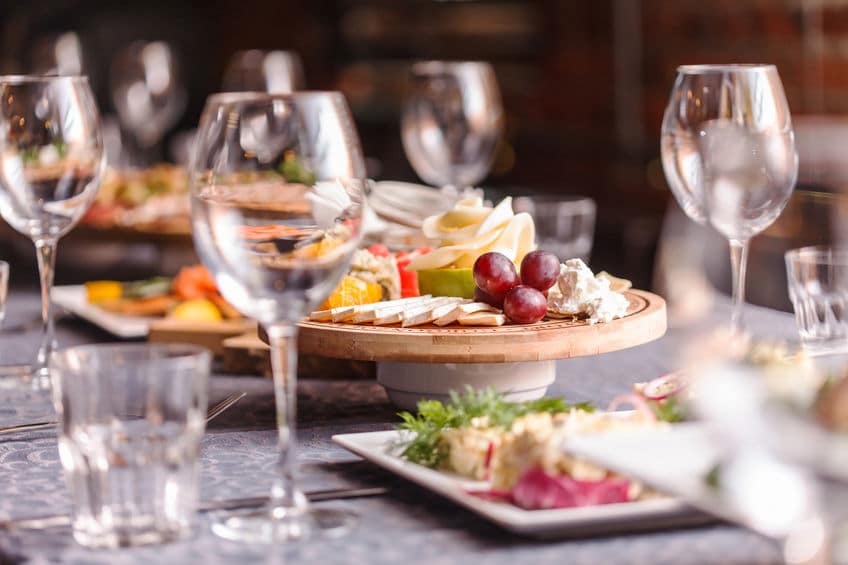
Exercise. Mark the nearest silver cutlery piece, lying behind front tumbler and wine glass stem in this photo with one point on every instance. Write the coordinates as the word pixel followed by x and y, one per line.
pixel 62 520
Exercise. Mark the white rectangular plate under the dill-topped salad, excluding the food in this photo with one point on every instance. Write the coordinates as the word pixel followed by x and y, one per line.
pixel 377 447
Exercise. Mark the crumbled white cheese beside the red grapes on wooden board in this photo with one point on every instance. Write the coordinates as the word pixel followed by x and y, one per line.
pixel 579 292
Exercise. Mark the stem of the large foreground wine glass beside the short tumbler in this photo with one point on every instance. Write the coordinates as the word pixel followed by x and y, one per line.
pixel 285 498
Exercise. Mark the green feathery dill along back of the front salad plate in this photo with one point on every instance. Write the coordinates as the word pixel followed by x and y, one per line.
pixel 425 446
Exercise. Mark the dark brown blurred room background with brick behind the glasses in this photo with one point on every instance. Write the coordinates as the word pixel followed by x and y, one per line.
pixel 584 83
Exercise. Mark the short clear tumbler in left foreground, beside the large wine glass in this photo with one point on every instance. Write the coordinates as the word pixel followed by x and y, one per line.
pixel 131 418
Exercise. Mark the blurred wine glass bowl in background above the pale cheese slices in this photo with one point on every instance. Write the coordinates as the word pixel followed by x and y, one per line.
pixel 452 121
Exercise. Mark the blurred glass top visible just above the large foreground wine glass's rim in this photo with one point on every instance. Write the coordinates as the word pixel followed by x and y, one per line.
pixel 277 72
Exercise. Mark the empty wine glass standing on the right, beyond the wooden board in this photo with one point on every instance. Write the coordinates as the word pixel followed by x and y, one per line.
pixel 728 151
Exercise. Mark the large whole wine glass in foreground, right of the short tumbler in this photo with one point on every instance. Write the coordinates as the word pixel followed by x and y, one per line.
pixel 278 187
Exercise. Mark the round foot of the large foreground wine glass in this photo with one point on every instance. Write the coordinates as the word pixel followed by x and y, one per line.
pixel 259 527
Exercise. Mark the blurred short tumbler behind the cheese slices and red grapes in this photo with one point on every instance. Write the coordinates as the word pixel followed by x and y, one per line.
pixel 565 225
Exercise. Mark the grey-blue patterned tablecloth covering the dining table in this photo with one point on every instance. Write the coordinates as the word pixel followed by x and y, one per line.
pixel 407 525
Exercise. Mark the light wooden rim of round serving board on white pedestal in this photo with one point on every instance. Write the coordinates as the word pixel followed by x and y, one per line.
pixel 543 341
